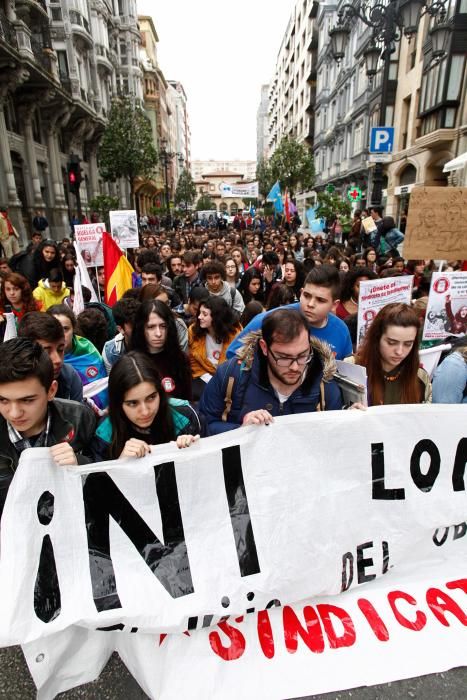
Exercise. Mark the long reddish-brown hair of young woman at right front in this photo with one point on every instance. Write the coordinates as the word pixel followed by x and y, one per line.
pixel 369 355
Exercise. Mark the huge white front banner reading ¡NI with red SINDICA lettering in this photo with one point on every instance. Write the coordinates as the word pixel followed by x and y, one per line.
pixel 238 524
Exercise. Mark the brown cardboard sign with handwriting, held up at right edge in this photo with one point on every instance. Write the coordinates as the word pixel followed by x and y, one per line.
pixel 436 224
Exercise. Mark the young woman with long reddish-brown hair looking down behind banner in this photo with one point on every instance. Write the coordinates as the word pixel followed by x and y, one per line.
pixel 390 354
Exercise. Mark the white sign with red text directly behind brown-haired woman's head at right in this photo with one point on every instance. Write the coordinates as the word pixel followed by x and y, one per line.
pixel 374 294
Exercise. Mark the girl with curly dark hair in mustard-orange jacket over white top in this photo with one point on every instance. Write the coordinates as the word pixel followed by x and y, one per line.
pixel 209 337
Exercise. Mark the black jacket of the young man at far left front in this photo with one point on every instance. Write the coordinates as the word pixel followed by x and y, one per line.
pixel 71 422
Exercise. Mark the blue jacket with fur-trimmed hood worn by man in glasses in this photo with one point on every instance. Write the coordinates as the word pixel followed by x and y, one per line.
pixel 252 389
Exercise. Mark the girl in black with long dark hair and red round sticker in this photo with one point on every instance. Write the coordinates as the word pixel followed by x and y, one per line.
pixel 155 333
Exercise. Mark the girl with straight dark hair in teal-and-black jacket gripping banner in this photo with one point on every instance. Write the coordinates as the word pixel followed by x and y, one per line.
pixel 141 414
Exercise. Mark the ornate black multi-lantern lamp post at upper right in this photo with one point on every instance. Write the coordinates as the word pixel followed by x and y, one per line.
pixel 388 22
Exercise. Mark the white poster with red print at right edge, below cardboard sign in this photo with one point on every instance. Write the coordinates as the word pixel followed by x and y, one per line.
pixel 446 312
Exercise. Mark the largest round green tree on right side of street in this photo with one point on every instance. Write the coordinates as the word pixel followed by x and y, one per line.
pixel 292 164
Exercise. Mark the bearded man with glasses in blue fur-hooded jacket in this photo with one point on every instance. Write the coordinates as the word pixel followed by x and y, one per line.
pixel 279 371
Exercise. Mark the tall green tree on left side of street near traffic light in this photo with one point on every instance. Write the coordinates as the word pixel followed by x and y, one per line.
pixel 127 149
